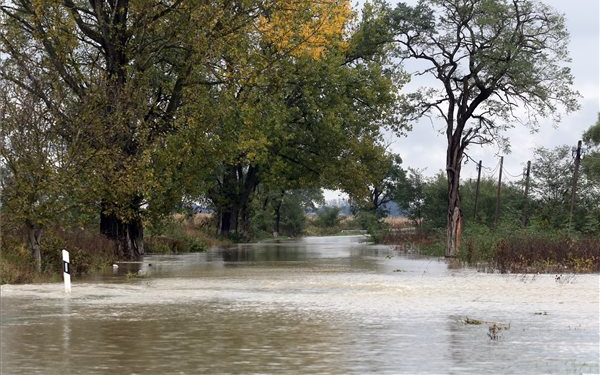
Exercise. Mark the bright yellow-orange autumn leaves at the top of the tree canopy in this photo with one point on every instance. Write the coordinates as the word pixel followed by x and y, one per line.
pixel 306 27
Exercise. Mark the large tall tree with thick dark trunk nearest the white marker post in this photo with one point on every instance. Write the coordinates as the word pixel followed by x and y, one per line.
pixel 125 66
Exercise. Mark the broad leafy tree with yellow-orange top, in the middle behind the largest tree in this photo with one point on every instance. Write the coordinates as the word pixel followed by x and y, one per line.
pixel 295 124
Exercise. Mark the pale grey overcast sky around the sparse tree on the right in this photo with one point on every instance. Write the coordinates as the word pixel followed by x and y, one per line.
pixel 424 148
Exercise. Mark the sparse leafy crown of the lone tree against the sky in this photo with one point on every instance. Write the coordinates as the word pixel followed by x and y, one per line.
pixel 528 71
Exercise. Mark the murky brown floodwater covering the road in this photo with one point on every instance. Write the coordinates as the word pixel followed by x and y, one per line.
pixel 327 305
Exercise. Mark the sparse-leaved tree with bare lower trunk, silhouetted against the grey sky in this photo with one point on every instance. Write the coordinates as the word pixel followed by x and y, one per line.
pixel 496 62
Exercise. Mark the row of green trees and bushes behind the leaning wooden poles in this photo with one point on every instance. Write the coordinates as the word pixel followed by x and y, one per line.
pixel 546 207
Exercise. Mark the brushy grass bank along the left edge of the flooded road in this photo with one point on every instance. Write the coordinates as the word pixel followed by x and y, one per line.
pixel 92 252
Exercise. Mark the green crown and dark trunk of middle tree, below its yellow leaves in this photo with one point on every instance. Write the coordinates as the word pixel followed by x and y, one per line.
pixel 309 123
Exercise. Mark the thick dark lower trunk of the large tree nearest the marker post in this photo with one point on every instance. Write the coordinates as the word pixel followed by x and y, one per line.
pixel 127 236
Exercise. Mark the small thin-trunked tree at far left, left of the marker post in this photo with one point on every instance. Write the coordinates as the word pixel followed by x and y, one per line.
pixel 41 179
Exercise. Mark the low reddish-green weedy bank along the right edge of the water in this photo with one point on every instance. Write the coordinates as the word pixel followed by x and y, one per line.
pixel 508 249
